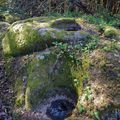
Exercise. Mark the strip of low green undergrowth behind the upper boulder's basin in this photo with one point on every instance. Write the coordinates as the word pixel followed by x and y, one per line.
pixel 100 18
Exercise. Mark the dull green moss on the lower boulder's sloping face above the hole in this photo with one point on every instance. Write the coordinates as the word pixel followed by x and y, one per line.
pixel 44 77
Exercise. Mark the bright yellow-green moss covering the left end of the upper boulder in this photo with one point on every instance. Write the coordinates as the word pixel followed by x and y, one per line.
pixel 22 41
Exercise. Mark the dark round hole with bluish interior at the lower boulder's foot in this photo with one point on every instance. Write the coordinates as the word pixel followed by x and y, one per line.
pixel 60 109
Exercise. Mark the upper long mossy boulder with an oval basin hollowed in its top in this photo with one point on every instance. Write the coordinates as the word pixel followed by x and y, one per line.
pixel 38 33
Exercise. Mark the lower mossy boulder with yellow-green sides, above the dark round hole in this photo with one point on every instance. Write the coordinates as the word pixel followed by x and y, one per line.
pixel 42 73
